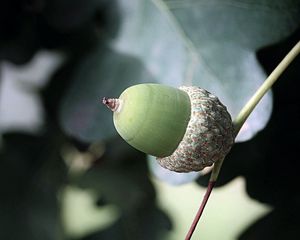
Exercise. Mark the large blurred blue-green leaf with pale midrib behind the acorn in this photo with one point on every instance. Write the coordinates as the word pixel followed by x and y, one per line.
pixel 207 43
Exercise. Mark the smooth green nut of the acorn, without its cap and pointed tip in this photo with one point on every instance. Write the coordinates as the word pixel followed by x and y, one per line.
pixel 146 116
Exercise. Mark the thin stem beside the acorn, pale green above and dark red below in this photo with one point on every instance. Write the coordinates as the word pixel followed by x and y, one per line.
pixel 240 120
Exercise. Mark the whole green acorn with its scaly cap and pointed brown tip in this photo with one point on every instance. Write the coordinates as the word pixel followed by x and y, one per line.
pixel 185 128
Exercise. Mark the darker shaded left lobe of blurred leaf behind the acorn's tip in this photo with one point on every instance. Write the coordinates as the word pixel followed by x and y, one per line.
pixel 101 73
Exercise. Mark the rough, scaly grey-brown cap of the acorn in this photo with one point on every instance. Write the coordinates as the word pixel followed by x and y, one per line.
pixel 208 137
